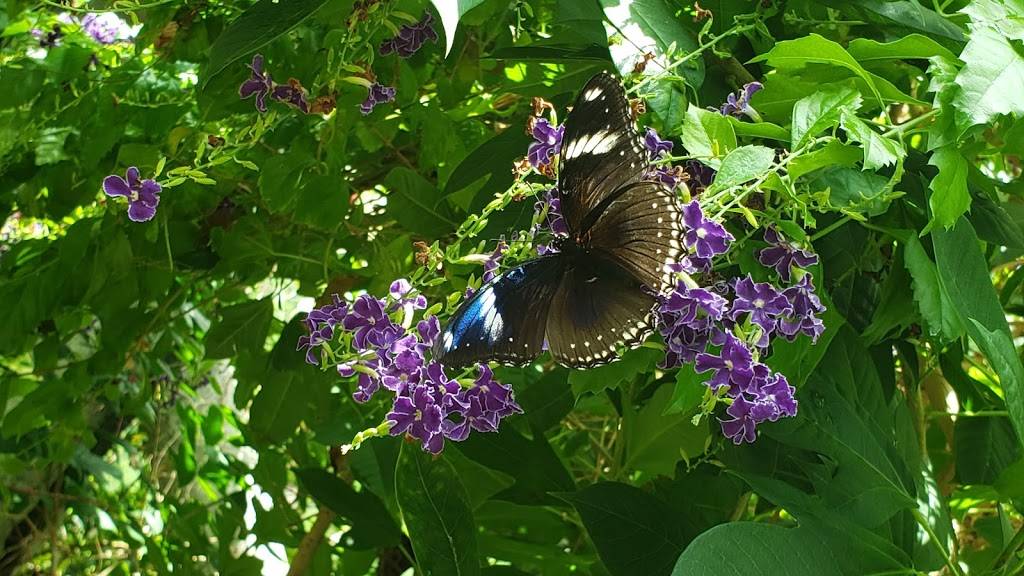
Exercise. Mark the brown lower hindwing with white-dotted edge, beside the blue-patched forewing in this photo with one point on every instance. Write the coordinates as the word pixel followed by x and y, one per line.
pixel 598 309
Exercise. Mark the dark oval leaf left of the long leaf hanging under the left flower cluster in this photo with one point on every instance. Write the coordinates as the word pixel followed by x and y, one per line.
pixel 372 525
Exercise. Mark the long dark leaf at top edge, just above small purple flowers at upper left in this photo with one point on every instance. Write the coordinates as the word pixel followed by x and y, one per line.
pixel 259 26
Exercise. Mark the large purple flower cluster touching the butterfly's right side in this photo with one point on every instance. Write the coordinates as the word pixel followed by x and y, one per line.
pixel 724 332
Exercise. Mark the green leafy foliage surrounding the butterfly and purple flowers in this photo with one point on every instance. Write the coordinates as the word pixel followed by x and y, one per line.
pixel 156 419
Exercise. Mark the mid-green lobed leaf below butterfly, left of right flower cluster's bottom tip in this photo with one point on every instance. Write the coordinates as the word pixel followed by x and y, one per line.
pixel 656 441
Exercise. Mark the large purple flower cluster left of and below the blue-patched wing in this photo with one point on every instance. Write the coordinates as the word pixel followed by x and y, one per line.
pixel 428 404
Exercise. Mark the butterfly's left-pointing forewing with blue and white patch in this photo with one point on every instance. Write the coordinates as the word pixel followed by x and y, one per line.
pixel 505 320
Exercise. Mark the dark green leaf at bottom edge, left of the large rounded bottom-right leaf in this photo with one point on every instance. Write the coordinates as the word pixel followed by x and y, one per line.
pixel 635 534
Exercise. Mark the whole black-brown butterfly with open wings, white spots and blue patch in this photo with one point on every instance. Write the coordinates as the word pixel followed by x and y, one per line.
pixel 599 293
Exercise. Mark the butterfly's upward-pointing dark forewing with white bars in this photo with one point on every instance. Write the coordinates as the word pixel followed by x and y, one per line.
pixel 602 151
